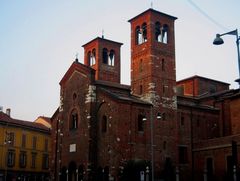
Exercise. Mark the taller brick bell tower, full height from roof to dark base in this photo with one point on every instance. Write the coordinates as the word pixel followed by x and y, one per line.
pixel 153 77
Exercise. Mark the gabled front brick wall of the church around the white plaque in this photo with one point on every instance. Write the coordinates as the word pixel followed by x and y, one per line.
pixel 78 84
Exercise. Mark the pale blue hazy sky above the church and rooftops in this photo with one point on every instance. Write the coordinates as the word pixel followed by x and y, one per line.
pixel 40 39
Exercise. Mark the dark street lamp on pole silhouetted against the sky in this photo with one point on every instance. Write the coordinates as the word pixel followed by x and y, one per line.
pixel 218 41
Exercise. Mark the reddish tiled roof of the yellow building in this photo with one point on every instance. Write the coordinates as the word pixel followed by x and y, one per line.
pixel 7 120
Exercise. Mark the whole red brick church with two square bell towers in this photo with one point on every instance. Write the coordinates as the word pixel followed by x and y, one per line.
pixel 156 128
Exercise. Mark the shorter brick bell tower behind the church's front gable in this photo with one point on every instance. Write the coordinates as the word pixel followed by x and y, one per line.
pixel 104 56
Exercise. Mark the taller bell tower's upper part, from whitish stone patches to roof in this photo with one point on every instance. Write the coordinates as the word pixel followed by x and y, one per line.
pixel 153 54
